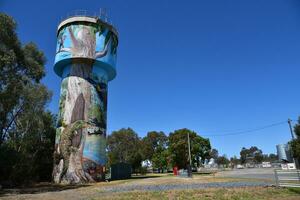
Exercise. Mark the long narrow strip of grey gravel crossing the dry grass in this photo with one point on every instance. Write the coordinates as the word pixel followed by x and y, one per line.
pixel 164 187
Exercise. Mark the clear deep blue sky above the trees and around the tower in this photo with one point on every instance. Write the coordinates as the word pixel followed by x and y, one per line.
pixel 205 65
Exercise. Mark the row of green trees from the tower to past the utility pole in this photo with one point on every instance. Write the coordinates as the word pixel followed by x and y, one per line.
pixel 162 151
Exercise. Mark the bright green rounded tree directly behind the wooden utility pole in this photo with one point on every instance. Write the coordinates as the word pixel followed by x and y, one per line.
pixel 178 147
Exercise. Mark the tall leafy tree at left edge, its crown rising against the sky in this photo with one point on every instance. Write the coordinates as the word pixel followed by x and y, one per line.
pixel 20 67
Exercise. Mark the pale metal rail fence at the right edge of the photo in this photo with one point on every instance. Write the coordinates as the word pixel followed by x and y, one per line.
pixel 287 178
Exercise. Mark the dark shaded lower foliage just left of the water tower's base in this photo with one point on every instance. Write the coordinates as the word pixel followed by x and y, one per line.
pixel 28 157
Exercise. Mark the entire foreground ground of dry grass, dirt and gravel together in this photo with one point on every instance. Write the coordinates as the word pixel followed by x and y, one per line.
pixel 155 186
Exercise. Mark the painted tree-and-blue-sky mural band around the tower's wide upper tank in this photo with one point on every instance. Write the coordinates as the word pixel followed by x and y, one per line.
pixel 88 41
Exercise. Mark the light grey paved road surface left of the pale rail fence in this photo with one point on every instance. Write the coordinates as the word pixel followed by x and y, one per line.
pixel 252 173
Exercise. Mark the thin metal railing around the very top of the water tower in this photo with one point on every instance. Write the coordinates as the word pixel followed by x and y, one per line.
pixel 102 15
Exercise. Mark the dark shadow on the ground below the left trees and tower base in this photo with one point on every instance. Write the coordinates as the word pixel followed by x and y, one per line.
pixel 40 188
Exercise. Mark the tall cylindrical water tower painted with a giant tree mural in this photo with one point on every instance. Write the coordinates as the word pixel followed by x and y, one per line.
pixel 85 60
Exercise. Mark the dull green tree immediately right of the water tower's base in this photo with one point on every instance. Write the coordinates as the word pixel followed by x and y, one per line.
pixel 125 146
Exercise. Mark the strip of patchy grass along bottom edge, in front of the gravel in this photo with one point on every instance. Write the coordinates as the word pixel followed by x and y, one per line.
pixel 247 193
